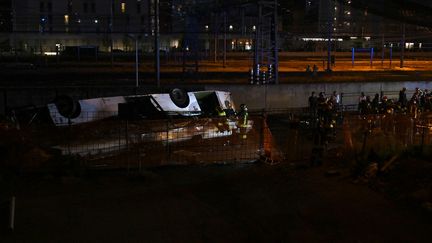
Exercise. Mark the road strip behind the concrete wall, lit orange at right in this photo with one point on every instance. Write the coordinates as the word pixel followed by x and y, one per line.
pixel 235 72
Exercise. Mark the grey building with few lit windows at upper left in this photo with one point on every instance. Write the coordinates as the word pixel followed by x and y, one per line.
pixel 52 25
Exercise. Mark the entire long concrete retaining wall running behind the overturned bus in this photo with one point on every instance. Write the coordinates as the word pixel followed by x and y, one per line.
pixel 257 97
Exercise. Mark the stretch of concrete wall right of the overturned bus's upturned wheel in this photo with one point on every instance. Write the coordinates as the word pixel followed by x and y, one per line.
pixel 296 95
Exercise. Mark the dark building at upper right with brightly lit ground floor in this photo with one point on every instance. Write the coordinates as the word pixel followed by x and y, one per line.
pixel 362 24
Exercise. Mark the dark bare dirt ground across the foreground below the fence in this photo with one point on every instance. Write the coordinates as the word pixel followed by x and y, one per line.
pixel 215 203
